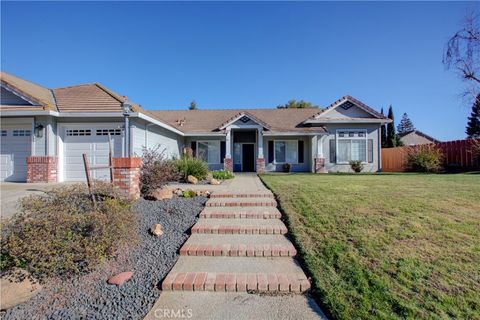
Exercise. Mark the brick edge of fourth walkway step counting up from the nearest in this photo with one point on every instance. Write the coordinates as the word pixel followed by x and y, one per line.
pixel 241 213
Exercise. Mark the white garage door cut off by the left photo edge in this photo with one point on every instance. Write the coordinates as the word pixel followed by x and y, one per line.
pixel 16 144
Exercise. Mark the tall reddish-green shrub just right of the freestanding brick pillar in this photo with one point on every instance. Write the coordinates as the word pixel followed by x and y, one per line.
pixel 156 171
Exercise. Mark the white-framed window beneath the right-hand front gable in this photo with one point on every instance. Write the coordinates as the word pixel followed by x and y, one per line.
pixel 351 145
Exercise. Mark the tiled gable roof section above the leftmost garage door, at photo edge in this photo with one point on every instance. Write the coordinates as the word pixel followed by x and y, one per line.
pixel 40 97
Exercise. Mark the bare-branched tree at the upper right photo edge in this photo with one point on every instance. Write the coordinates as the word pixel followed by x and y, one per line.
pixel 462 53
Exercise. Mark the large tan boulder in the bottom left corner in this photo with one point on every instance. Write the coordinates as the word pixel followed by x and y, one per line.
pixel 15 291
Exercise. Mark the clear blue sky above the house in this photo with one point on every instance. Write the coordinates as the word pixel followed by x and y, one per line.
pixel 245 55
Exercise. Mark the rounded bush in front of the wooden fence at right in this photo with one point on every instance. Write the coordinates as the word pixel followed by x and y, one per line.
pixel 424 158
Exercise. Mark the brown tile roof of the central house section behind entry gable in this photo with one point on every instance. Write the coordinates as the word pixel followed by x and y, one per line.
pixel 198 121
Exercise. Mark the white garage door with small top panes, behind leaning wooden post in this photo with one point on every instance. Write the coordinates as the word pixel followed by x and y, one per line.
pixel 94 142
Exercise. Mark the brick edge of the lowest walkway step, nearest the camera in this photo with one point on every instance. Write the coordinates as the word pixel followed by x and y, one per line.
pixel 236 282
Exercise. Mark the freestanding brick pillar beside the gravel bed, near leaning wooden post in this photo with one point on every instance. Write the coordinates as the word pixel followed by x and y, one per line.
pixel 126 175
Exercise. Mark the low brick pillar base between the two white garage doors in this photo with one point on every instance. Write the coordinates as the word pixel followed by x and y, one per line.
pixel 42 169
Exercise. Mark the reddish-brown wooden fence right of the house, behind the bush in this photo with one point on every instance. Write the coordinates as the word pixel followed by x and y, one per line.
pixel 457 154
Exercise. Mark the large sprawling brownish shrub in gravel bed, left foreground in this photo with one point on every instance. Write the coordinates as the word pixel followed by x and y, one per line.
pixel 60 233
